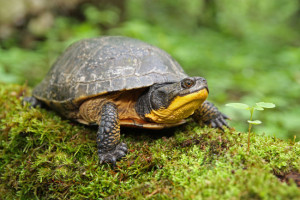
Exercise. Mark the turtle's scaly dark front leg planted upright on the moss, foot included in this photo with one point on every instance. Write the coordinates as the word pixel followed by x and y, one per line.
pixel 108 136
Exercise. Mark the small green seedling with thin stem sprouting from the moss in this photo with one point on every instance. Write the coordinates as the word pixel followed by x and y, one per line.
pixel 259 106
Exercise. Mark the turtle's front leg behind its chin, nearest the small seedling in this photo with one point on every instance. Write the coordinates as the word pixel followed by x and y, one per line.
pixel 208 114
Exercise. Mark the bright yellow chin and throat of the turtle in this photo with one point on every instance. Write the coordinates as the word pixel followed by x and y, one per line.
pixel 180 108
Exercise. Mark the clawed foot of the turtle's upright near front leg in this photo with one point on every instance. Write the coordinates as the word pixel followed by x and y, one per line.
pixel 113 155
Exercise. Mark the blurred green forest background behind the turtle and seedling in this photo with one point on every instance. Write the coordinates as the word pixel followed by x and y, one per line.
pixel 247 50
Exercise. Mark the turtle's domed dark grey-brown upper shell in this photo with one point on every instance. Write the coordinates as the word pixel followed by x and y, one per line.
pixel 96 66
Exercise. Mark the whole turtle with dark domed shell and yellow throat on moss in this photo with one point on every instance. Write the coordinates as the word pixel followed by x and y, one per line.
pixel 114 81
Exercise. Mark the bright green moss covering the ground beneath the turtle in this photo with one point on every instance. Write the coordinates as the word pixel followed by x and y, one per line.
pixel 43 156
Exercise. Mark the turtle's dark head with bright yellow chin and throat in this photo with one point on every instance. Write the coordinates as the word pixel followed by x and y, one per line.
pixel 172 102
